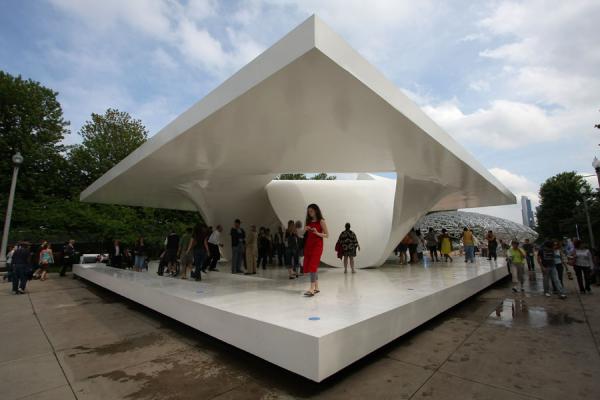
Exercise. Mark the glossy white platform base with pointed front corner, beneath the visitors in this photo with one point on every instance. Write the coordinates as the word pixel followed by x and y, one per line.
pixel 266 314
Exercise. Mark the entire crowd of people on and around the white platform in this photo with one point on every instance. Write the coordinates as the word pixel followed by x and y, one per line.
pixel 299 248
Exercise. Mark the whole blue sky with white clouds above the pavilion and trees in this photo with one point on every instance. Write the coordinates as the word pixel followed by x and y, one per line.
pixel 515 82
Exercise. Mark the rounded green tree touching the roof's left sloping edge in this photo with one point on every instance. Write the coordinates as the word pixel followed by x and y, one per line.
pixel 106 140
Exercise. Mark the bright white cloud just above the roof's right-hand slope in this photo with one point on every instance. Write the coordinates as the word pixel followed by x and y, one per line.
pixel 503 125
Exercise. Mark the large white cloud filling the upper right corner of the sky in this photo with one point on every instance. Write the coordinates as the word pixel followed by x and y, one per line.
pixel 552 48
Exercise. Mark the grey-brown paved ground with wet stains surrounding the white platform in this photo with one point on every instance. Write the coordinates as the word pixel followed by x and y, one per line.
pixel 70 339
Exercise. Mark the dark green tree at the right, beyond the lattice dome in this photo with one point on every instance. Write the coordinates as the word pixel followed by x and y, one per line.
pixel 558 213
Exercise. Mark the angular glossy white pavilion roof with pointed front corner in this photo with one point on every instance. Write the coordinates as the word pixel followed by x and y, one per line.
pixel 310 103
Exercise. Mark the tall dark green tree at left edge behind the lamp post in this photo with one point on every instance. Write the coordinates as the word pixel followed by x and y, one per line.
pixel 31 121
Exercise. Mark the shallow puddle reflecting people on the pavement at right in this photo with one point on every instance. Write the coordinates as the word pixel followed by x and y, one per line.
pixel 516 312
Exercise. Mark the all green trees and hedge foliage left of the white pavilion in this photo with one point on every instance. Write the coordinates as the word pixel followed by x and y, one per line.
pixel 52 176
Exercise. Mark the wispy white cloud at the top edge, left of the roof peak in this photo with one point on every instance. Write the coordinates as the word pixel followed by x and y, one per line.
pixel 182 27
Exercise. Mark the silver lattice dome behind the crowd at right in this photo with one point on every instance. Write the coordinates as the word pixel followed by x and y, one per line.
pixel 455 221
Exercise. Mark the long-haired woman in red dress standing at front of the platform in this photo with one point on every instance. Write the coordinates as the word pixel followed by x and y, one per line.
pixel 315 231
